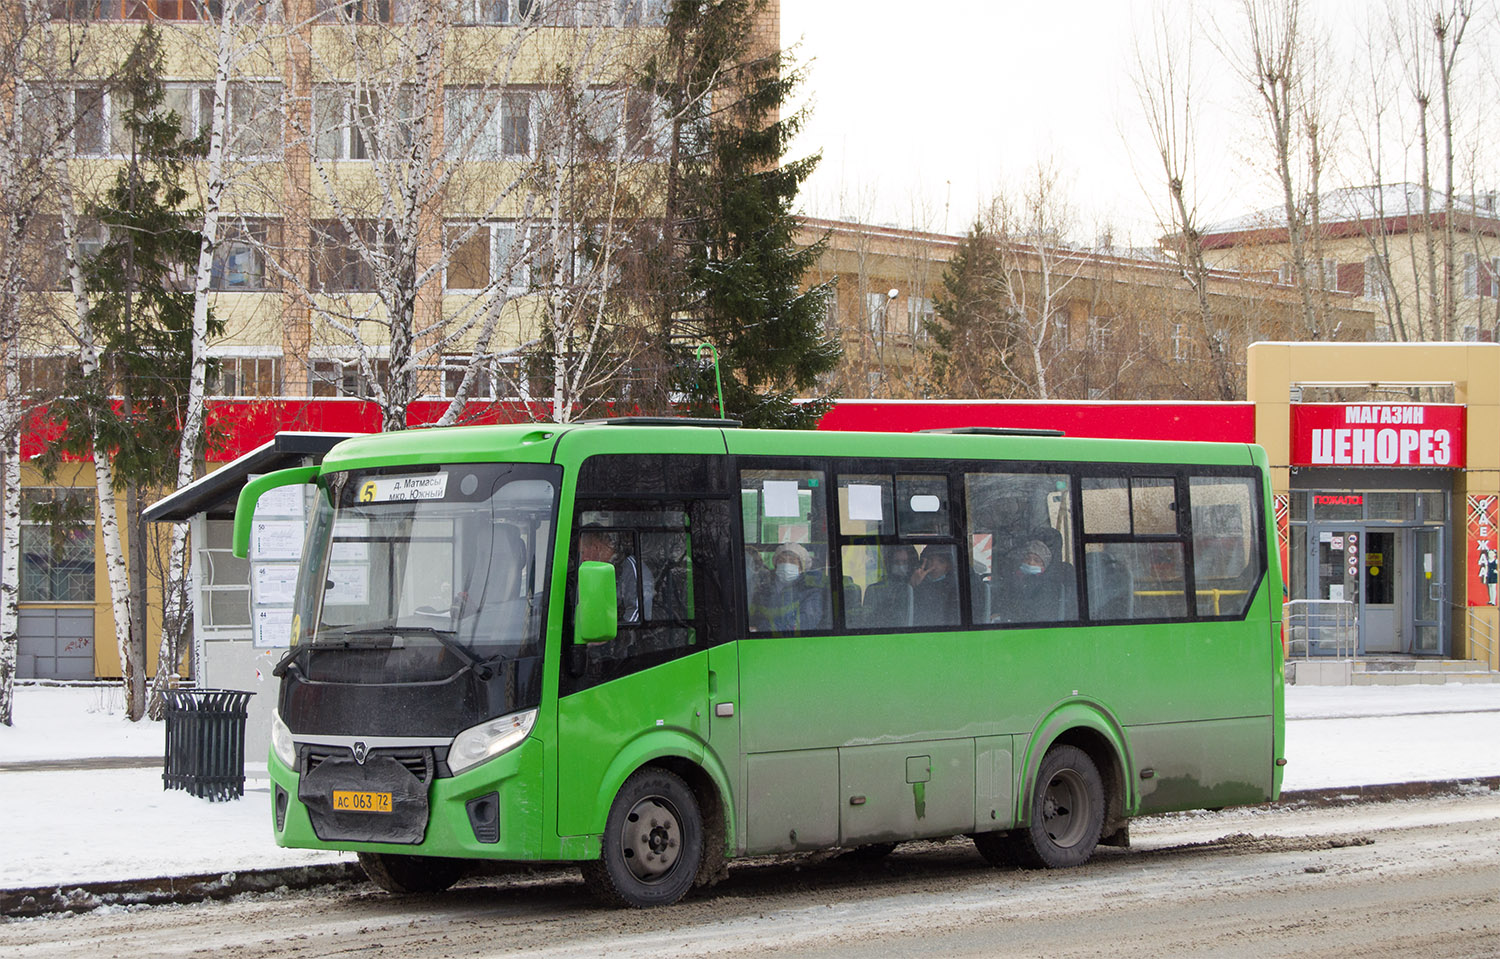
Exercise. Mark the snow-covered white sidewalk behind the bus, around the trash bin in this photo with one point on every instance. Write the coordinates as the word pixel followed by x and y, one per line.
pixel 103 825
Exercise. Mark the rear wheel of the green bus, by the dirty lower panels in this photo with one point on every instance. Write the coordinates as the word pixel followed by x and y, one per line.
pixel 1067 813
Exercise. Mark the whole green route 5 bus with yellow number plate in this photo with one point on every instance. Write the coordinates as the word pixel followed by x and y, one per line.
pixel 650 648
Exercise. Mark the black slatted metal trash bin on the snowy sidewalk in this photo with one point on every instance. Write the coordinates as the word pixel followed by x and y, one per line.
pixel 206 742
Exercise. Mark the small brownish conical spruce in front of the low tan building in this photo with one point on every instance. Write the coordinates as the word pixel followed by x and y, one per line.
pixel 971 332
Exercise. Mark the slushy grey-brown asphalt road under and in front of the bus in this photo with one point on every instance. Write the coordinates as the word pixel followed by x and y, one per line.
pixel 1417 877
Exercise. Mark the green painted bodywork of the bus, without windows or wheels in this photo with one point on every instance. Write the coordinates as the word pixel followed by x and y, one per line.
pixel 865 738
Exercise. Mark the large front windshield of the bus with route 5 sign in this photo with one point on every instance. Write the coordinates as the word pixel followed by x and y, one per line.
pixel 445 564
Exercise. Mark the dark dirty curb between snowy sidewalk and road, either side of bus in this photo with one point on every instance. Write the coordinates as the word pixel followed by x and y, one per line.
pixel 88 897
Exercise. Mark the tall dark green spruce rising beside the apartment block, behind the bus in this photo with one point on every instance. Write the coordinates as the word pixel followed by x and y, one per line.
pixel 733 274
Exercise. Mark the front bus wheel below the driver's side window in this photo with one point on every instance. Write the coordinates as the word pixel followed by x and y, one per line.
pixel 653 843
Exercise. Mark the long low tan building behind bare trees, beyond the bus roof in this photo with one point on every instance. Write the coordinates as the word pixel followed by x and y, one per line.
pixel 1118 326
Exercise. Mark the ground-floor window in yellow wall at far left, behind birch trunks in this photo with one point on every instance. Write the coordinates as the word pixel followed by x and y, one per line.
pixel 58 546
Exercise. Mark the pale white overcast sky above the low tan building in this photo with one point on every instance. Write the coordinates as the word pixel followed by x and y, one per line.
pixel 923 109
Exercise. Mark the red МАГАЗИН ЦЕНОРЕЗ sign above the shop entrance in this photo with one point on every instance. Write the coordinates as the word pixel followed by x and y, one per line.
pixel 1378 436
